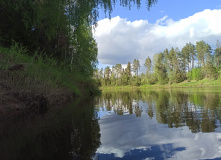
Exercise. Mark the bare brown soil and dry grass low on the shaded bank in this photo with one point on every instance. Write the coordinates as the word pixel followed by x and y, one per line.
pixel 14 101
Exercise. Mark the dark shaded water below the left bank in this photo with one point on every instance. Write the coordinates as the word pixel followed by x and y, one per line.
pixel 69 133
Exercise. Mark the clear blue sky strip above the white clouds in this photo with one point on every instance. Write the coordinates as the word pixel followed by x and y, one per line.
pixel 175 9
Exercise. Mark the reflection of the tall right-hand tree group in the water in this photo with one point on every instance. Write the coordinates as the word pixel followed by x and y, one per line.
pixel 178 112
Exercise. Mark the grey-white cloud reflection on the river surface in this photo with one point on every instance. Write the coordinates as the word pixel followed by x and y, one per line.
pixel 121 135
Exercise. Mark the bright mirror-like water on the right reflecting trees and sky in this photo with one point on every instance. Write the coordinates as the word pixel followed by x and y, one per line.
pixel 160 124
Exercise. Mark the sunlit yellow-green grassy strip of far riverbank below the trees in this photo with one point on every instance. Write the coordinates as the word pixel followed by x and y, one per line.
pixel 185 84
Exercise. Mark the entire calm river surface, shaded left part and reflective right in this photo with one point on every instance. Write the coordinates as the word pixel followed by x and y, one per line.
pixel 135 125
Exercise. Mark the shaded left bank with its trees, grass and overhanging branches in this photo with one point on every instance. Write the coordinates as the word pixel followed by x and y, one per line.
pixel 47 50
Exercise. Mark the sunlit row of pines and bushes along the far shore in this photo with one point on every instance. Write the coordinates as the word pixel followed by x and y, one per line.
pixel 192 62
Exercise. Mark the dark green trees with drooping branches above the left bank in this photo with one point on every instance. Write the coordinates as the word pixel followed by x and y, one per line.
pixel 59 28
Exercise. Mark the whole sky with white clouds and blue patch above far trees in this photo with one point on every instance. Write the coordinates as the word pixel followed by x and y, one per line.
pixel 141 33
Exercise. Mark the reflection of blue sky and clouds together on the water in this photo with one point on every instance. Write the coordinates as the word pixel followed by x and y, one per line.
pixel 142 137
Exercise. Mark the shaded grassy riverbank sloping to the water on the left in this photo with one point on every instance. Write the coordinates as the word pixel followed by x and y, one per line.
pixel 37 82
